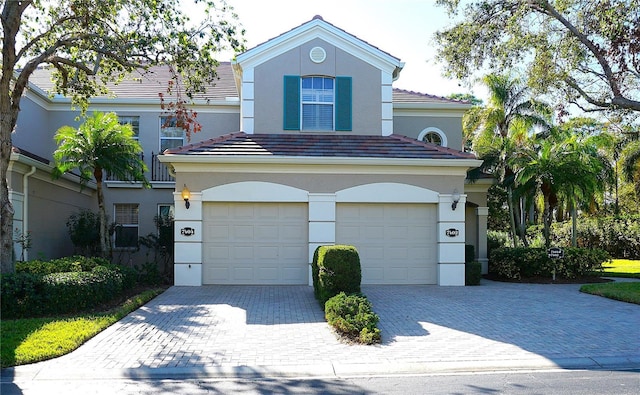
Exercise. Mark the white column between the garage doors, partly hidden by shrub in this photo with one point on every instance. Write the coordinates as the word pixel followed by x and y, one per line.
pixel 322 223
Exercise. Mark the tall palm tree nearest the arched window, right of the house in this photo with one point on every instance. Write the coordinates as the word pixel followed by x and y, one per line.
pixel 497 129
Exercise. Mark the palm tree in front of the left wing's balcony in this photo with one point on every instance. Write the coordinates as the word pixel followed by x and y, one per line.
pixel 100 146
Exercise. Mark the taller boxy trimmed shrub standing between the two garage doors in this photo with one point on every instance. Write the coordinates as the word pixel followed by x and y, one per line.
pixel 335 269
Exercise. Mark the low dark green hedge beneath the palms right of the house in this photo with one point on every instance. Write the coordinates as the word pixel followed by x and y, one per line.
pixel 521 262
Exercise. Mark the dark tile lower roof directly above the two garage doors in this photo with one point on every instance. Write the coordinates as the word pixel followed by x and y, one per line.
pixel 319 145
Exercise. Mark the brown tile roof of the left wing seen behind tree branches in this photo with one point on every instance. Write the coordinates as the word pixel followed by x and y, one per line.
pixel 141 85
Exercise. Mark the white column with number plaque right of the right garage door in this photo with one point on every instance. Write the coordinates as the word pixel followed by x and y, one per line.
pixel 451 240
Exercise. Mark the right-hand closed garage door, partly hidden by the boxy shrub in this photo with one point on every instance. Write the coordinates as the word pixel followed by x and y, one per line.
pixel 396 242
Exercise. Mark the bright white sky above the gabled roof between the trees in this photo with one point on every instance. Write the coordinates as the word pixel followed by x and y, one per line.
pixel 402 28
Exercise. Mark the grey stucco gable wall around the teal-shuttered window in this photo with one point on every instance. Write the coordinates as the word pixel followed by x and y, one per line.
pixel 269 87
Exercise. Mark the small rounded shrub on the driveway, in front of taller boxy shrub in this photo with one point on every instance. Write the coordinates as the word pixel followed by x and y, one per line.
pixel 353 317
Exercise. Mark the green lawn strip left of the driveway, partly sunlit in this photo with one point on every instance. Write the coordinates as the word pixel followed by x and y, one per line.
pixel 29 340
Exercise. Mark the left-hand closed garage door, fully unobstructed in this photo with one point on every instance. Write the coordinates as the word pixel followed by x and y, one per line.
pixel 255 243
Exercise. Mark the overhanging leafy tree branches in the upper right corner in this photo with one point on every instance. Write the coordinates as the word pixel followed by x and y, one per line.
pixel 587 52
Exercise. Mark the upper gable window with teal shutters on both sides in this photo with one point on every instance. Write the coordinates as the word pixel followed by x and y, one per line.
pixel 317 103
